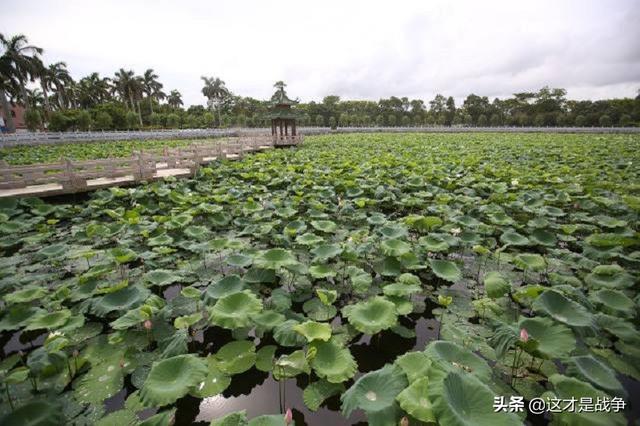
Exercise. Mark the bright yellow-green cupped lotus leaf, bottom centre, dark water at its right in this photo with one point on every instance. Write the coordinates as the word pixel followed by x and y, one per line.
pixel 333 362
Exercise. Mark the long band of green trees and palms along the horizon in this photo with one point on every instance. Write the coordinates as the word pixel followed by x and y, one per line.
pixel 54 100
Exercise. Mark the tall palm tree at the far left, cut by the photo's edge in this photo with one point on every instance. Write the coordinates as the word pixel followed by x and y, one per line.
pixel 18 63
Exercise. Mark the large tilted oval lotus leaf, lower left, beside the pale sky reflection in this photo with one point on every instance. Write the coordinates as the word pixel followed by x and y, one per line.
pixel 172 378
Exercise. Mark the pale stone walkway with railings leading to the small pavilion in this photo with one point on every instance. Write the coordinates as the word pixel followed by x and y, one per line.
pixel 68 177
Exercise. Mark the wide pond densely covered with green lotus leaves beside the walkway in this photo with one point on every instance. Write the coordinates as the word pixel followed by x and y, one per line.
pixel 377 279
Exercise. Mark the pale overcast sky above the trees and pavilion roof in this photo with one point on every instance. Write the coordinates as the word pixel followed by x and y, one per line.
pixel 354 49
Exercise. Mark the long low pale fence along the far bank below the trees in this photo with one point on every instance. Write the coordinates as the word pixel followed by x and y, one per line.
pixel 45 138
